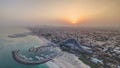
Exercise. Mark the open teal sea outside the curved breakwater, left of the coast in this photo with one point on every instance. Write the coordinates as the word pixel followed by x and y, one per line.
pixel 7 45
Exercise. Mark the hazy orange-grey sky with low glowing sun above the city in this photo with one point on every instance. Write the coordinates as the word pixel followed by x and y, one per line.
pixel 86 13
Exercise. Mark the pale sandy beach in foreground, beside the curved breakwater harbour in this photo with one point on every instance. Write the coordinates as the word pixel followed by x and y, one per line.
pixel 67 60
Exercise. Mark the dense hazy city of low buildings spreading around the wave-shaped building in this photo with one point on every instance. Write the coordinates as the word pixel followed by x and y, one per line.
pixel 105 43
